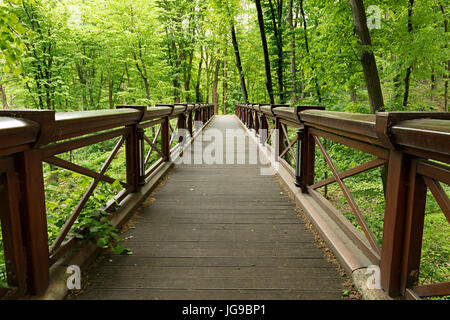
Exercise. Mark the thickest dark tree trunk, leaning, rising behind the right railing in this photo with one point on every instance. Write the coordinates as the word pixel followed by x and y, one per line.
pixel 367 57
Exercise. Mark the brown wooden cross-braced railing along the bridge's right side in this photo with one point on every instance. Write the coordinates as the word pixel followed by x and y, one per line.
pixel 415 147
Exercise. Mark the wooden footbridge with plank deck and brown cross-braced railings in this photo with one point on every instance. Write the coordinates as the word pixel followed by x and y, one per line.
pixel 221 228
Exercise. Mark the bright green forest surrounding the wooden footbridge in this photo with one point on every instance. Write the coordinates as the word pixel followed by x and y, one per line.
pixel 347 55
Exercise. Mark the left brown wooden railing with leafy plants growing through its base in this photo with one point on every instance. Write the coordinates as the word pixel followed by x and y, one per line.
pixel 30 137
